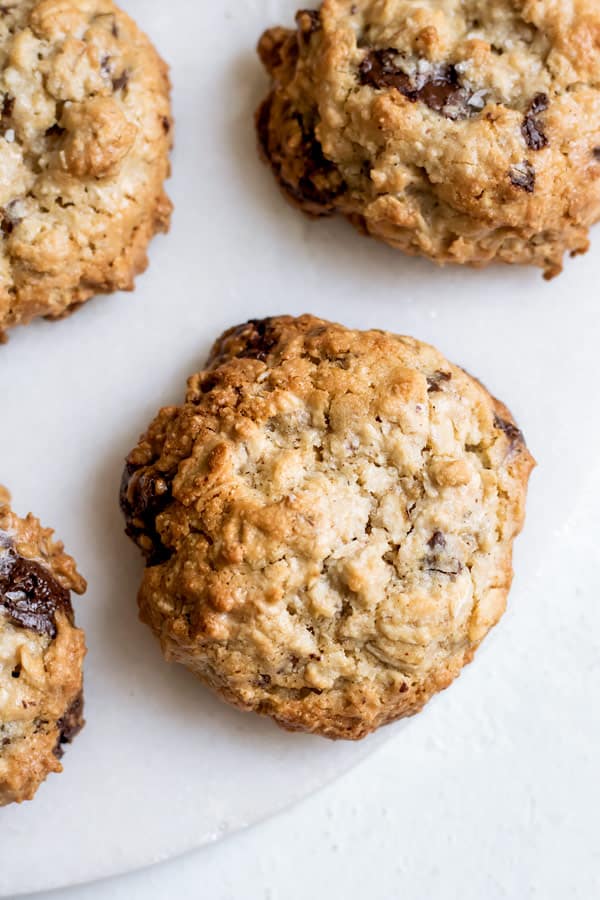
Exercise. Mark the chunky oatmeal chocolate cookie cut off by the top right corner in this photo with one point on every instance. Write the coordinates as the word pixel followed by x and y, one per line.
pixel 466 132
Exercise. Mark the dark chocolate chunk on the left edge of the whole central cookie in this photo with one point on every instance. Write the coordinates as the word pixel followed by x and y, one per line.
pixel 145 493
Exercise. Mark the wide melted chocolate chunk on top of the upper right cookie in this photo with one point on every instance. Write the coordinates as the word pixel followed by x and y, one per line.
pixel 439 88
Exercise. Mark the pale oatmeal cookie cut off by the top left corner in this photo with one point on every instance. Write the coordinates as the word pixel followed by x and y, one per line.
pixel 85 130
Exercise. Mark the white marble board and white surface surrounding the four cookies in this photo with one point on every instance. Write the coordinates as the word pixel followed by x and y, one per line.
pixel 494 790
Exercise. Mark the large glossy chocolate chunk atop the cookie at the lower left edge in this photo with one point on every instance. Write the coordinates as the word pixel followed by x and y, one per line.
pixel 30 595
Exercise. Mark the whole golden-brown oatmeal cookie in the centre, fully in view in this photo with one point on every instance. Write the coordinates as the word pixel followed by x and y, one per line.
pixel 327 522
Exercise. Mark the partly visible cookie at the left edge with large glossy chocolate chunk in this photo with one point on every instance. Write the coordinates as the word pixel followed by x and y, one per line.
pixel 41 654
